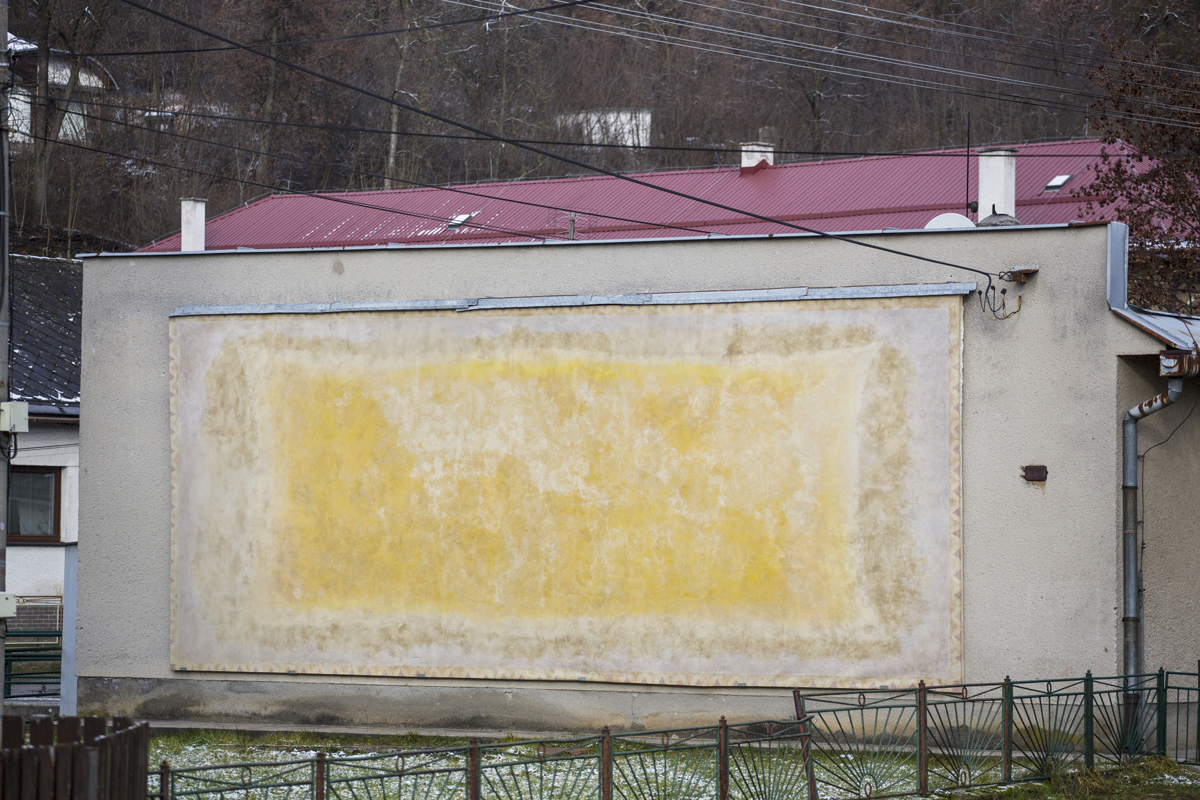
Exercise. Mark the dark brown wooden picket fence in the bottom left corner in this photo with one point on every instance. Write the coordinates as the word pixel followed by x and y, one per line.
pixel 74 759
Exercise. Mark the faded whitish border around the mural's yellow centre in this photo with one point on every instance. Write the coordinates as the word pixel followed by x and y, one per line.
pixel 213 625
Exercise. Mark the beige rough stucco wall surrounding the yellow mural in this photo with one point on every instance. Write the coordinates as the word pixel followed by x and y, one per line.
pixel 1041 563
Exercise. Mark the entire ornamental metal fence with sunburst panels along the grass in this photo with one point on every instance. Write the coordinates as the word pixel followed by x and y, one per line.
pixel 843 744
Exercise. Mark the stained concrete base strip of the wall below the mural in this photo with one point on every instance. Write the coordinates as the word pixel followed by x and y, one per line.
pixel 428 706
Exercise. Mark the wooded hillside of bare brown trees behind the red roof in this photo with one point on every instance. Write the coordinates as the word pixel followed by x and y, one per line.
pixel 190 116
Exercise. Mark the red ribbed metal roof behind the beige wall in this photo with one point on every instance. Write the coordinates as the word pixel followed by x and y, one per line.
pixel 842 195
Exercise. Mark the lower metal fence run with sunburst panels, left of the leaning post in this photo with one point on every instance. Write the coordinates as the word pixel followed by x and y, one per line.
pixel 760 761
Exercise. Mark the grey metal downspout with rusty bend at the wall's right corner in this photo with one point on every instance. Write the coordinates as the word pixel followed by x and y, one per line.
pixel 1132 619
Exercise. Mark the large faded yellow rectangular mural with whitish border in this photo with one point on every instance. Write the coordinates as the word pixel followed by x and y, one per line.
pixel 757 494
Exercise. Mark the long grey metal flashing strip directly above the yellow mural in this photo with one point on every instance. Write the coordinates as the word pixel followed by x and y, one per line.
pixel 662 299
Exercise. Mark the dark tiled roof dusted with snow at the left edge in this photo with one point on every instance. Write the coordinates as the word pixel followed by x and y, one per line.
pixel 47 310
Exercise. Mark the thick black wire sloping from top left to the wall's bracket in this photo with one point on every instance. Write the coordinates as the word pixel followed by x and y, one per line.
pixel 565 159
